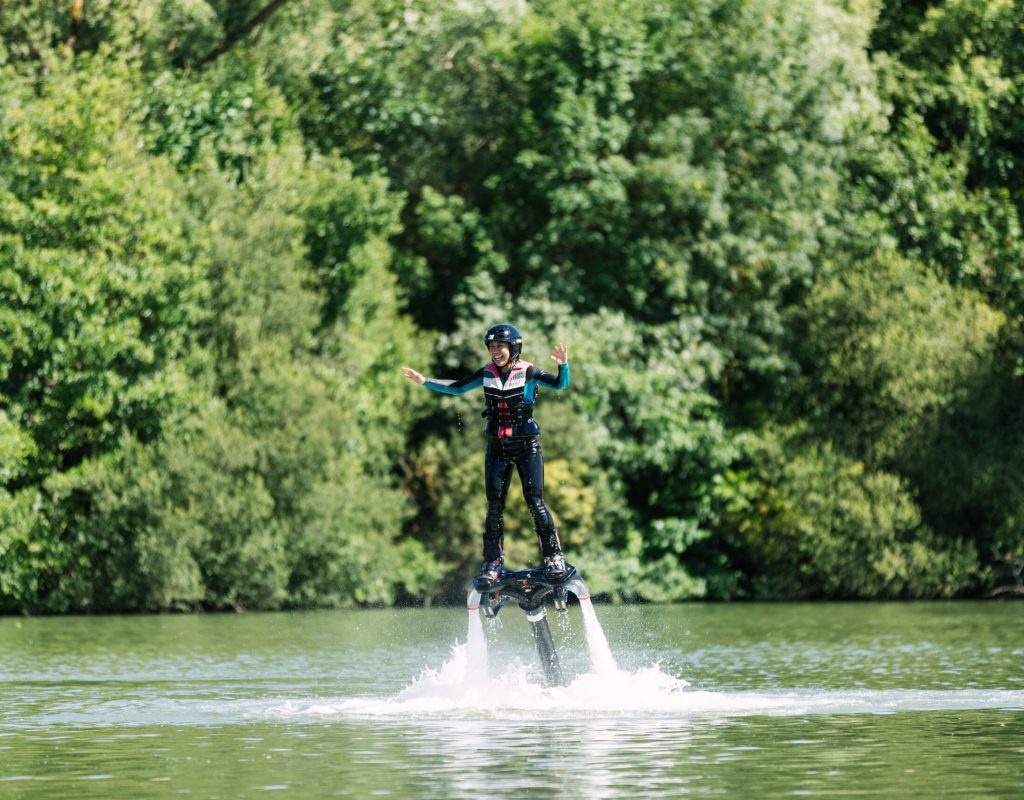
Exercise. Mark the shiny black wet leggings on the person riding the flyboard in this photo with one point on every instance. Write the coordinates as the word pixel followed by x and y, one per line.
pixel 524 453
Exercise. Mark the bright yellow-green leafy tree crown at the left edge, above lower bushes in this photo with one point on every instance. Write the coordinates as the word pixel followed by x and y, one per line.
pixel 101 289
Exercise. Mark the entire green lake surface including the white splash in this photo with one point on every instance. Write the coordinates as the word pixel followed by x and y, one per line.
pixel 743 701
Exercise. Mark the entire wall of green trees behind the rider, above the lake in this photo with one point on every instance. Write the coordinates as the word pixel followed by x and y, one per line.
pixel 782 239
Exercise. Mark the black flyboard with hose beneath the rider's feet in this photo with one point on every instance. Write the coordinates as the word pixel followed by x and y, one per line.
pixel 531 590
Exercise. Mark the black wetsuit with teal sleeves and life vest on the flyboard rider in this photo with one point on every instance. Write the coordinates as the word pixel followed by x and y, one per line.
pixel 514 442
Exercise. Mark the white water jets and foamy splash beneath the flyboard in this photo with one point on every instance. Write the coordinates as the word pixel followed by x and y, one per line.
pixel 464 688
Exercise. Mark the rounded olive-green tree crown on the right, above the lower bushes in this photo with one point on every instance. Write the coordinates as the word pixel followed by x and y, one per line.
pixel 895 350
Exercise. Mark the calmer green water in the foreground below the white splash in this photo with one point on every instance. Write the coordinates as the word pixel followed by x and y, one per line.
pixel 913 754
